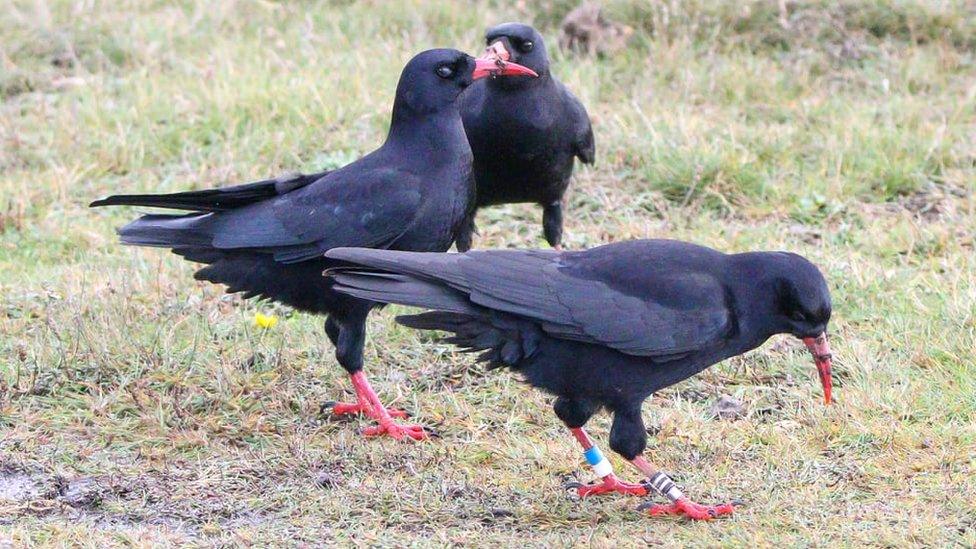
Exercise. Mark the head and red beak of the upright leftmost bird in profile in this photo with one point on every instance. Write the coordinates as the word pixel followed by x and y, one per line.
pixel 435 78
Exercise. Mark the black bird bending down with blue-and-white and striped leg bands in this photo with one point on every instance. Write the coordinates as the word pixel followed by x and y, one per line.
pixel 606 327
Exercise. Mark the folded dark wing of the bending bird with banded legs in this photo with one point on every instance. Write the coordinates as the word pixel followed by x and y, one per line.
pixel 572 296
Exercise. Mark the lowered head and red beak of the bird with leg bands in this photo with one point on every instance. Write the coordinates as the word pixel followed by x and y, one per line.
pixel 802 308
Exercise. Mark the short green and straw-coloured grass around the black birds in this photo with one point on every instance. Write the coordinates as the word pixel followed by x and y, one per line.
pixel 138 407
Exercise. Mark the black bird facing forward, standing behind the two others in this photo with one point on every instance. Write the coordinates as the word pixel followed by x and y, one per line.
pixel 525 132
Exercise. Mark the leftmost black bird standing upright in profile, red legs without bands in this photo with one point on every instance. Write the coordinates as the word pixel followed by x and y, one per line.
pixel 267 239
